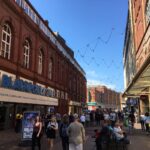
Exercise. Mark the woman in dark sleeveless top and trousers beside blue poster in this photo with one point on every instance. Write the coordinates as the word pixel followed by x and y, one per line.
pixel 36 136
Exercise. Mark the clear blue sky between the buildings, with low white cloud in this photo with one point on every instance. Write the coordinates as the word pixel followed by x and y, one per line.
pixel 95 30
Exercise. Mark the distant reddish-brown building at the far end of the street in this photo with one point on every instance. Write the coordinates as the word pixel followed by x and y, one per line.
pixel 101 96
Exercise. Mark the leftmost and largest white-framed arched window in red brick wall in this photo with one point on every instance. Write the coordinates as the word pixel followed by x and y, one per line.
pixel 6 41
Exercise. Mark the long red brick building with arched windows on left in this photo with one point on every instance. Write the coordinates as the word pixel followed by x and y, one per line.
pixel 37 68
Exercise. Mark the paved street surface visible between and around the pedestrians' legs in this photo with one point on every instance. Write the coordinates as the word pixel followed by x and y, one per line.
pixel 10 141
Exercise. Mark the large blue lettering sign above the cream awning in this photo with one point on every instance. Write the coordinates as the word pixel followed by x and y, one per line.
pixel 25 86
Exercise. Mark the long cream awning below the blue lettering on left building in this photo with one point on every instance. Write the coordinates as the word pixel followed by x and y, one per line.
pixel 7 95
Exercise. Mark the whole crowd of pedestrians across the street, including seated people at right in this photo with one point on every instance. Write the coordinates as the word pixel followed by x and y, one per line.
pixel 109 124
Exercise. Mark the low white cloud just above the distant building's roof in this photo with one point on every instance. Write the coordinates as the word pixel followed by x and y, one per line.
pixel 91 82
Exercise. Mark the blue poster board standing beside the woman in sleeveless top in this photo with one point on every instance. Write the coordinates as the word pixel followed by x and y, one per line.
pixel 27 124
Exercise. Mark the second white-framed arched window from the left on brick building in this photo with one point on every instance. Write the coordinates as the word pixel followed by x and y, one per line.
pixel 26 56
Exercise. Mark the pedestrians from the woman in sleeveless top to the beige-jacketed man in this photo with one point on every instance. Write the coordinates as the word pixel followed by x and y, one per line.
pixel 70 128
